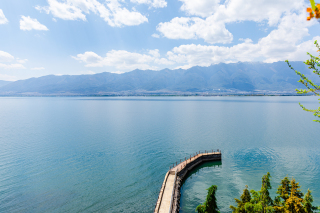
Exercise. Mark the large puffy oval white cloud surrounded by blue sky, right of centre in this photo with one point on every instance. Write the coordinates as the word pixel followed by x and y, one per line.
pixel 193 28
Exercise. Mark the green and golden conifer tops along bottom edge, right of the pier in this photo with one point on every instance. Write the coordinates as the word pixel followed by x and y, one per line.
pixel 290 199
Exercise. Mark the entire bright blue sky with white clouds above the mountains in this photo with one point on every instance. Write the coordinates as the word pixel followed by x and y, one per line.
pixel 76 37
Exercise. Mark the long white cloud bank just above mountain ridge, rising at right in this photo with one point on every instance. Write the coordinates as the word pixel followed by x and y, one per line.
pixel 284 42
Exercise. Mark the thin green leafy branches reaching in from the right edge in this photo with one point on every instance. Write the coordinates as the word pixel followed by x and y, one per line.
pixel 314 64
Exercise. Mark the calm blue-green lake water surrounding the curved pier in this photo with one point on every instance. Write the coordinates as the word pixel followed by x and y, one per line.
pixel 70 154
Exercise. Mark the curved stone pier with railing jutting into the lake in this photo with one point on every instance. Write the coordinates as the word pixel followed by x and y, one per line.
pixel 169 196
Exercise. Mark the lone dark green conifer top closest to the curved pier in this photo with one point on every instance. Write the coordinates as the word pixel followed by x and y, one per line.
pixel 210 206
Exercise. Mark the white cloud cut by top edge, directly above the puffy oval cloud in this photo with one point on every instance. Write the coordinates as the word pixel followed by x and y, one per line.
pixel 203 8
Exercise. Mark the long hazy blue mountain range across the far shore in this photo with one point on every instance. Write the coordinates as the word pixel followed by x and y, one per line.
pixel 244 78
